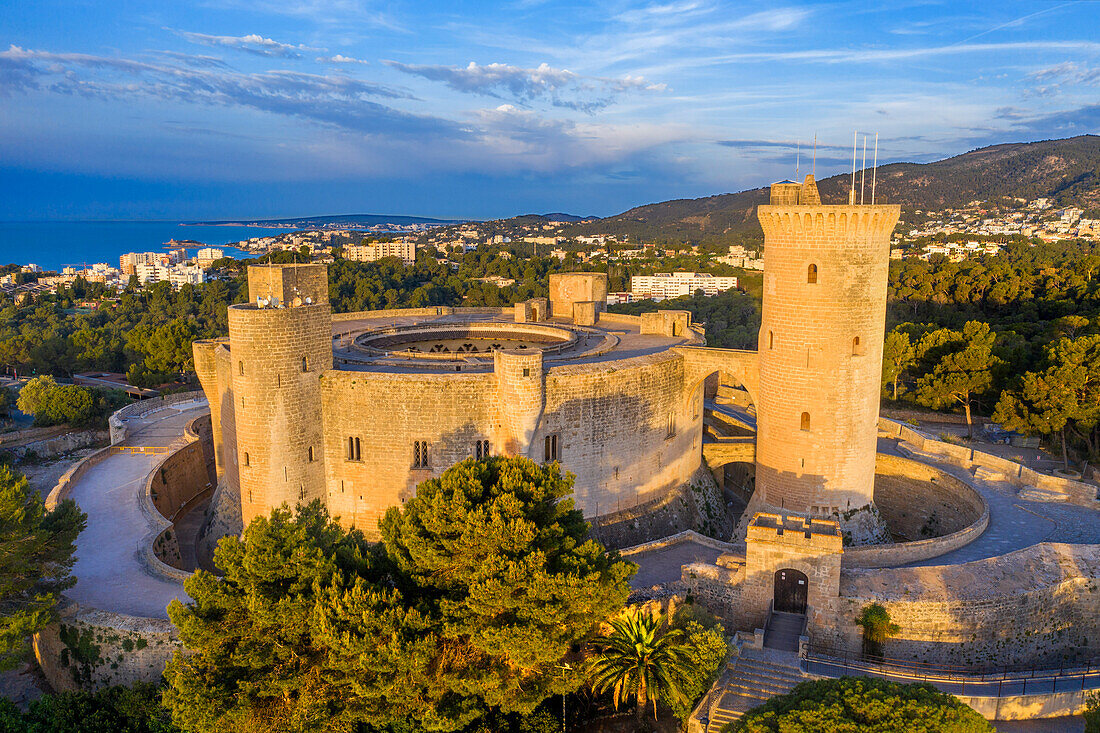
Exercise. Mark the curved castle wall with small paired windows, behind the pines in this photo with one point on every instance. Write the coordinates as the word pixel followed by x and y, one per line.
pixel 622 428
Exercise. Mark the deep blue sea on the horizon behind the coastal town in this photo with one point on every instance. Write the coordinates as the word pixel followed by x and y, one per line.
pixel 57 245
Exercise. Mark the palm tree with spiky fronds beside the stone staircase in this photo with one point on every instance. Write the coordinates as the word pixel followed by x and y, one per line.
pixel 640 659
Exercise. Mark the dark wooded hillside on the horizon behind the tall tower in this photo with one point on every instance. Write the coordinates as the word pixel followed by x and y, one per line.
pixel 1066 171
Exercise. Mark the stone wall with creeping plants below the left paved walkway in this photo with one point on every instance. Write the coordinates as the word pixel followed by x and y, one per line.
pixel 89 650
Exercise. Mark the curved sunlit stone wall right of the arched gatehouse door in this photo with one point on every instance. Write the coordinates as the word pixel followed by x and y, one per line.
pixel 1037 607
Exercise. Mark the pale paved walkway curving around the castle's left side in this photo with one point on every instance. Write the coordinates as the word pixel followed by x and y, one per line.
pixel 109 573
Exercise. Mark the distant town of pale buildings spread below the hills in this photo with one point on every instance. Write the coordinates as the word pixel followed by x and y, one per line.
pixel 956 235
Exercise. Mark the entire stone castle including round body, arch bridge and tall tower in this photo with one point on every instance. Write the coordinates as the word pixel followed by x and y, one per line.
pixel 358 409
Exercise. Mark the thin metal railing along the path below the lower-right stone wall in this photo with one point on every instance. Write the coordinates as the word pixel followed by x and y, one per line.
pixel 1004 682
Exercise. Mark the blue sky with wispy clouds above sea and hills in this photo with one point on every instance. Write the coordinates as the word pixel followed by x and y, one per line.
pixel 265 108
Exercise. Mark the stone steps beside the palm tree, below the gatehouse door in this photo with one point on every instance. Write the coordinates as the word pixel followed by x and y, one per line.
pixel 750 681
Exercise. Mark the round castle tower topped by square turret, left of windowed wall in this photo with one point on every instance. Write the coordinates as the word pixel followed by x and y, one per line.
pixel 280 346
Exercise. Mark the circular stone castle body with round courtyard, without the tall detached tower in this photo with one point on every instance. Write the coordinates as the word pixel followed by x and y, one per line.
pixel 359 409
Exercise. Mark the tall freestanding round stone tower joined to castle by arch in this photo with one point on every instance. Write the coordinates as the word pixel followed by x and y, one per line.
pixel 821 357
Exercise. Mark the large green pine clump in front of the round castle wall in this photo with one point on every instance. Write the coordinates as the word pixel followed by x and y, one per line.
pixel 483 585
